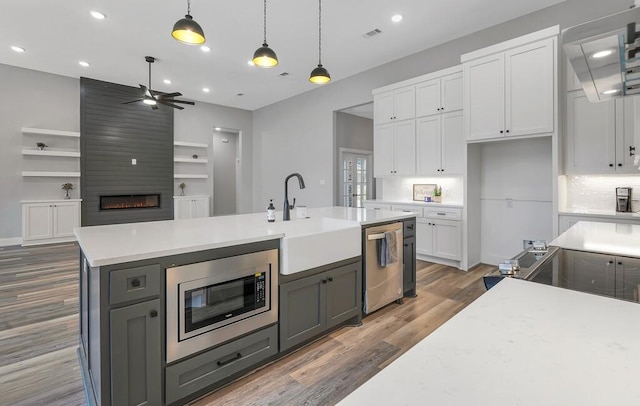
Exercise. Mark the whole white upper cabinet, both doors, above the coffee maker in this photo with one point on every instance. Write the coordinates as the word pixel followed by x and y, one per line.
pixel 601 137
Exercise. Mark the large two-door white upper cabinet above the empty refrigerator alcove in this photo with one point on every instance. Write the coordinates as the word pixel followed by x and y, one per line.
pixel 511 93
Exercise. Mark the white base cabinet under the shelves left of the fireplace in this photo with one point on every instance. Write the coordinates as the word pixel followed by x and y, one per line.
pixel 45 222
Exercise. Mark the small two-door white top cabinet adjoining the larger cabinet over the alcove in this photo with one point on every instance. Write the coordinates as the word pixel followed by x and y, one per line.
pixel 439 95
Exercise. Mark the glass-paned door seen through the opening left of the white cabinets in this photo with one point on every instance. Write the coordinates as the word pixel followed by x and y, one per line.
pixel 356 178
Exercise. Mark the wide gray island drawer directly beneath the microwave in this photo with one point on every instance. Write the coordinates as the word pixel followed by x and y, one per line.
pixel 204 370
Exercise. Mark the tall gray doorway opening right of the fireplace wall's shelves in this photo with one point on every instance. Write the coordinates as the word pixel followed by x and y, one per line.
pixel 225 151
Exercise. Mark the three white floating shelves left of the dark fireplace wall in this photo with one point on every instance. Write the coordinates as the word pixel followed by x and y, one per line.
pixel 51 152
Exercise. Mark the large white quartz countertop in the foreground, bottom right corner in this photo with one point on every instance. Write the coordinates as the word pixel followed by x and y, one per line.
pixel 521 343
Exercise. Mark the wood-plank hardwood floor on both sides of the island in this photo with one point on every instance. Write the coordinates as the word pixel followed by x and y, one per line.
pixel 39 336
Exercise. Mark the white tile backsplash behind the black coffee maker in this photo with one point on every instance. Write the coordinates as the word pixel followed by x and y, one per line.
pixel 599 192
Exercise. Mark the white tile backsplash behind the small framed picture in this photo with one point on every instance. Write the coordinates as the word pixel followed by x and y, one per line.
pixel 401 189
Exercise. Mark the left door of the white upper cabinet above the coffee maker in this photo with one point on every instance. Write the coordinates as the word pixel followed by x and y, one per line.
pixel 591 131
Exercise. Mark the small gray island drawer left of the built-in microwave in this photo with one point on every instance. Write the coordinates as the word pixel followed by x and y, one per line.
pixel 130 284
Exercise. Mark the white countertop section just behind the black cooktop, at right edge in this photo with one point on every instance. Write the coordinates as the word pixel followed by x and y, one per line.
pixel 603 238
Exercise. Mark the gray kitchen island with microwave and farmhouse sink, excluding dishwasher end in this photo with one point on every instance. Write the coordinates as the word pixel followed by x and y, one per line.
pixel 143 338
